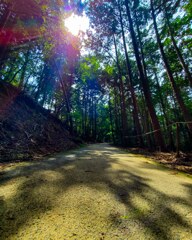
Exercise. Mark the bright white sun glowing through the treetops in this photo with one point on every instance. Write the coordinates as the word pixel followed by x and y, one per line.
pixel 76 23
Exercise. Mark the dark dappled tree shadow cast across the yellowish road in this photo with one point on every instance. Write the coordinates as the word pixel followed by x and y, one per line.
pixel 45 181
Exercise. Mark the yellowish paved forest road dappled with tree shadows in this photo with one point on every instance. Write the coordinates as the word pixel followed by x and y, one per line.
pixel 96 192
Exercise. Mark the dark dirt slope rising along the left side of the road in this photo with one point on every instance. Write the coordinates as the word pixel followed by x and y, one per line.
pixel 27 129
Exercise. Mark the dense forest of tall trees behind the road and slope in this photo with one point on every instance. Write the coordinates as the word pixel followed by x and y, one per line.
pixel 127 80
